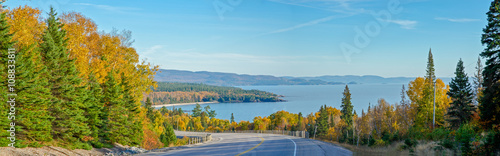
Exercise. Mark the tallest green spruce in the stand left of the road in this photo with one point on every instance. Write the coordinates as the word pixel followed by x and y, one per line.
pixel 65 85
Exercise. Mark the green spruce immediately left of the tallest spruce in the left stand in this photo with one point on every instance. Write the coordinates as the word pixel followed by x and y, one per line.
pixel 33 100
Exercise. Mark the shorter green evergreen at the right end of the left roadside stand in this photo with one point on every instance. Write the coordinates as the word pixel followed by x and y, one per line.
pixel 116 126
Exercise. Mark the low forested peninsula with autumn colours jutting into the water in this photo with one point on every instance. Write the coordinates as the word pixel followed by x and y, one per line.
pixel 171 92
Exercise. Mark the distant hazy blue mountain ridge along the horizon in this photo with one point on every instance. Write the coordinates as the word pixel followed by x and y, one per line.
pixel 232 79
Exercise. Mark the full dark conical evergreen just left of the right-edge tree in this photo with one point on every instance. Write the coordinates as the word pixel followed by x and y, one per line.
pixel 461 108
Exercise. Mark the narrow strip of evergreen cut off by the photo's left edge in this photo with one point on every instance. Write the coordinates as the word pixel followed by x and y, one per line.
pixel 5 44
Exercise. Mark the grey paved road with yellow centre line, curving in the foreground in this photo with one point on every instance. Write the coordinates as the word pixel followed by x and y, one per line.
pixel 250 144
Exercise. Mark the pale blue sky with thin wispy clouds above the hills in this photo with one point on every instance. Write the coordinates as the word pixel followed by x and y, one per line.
pixel 389 38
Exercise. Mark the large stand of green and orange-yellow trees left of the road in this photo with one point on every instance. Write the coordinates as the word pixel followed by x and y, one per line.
pixel 76 87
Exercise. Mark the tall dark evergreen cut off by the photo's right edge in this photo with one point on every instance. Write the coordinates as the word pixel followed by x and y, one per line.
pixel 490 101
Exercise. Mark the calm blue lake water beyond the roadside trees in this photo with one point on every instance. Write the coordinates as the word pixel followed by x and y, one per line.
pixel 306 99
